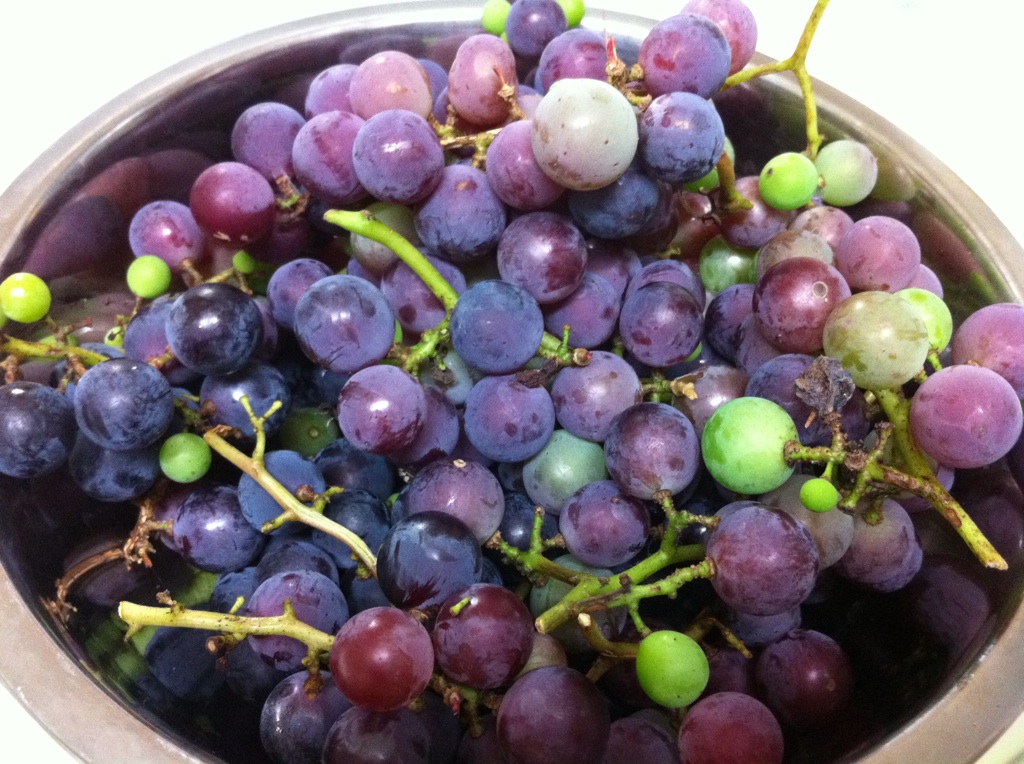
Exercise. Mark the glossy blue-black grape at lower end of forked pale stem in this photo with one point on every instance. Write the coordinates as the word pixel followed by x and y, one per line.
pixel 425 559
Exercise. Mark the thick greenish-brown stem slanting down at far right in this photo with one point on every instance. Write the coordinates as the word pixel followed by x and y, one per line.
pixel 898 409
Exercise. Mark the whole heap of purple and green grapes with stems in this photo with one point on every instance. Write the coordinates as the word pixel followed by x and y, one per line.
pixel 504 411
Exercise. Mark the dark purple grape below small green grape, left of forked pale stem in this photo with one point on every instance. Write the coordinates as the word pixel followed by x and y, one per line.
pixel 212 533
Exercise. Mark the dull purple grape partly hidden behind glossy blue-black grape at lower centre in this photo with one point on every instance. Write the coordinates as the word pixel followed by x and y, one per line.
pixel 467 491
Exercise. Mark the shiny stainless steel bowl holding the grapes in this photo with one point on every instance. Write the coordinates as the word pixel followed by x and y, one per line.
pixel 53 671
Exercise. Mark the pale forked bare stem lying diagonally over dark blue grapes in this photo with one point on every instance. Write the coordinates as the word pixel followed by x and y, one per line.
pixel 294 511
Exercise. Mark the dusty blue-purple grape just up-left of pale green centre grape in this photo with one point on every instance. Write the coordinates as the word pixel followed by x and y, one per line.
pixel 507 421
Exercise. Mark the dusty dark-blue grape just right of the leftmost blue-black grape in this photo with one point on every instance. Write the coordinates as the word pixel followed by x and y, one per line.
pixel 123 405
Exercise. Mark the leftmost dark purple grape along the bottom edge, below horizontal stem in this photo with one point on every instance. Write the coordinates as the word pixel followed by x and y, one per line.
pixel 294 726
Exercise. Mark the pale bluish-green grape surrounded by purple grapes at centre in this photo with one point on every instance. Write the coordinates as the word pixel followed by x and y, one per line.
pixel 564 466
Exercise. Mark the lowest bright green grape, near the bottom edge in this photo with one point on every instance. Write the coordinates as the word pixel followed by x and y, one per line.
pixel 672 668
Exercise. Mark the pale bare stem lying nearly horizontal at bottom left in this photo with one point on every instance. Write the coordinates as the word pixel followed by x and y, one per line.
pixel 236 627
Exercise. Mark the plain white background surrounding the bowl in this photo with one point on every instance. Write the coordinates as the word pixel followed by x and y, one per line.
pixel 944 71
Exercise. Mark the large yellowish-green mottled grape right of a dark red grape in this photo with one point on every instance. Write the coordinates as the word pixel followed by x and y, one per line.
pixel 878 338
